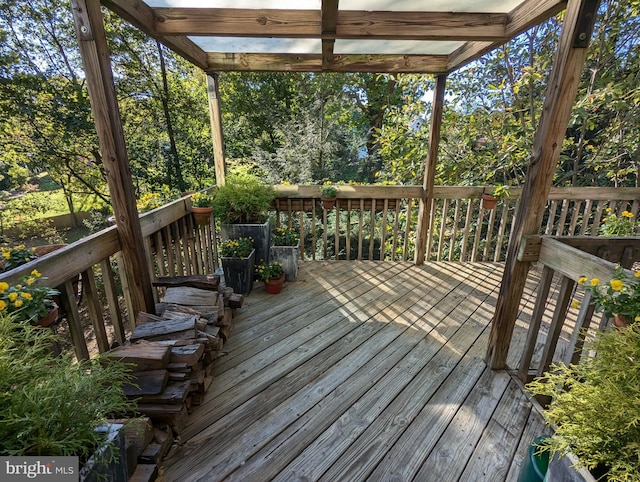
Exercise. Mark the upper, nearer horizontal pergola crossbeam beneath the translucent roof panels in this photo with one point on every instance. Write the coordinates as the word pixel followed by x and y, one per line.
pixel 330 23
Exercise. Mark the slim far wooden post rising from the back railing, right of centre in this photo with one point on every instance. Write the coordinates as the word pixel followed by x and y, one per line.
pixel 424 211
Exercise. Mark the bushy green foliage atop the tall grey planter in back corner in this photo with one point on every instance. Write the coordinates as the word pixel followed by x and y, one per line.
pixel 243 199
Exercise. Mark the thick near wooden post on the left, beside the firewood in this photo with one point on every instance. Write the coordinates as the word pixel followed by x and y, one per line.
pixel 95 58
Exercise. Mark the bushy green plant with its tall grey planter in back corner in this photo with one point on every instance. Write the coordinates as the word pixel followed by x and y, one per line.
pixel 241 206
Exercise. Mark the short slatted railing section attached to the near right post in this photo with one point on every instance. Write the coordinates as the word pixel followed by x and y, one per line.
pixel 564 261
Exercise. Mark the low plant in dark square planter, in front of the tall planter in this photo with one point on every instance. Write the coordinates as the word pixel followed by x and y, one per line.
pixel 238 263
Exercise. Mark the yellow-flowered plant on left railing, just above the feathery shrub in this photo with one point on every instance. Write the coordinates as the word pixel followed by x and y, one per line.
pixel 28 301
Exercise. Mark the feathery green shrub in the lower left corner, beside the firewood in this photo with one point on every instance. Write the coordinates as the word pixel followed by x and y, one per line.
pixel 52 405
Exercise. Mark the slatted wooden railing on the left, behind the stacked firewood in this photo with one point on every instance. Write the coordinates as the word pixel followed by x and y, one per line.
pixel 91 279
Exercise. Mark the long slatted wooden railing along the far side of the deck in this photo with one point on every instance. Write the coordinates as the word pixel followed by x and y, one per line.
pixel 459 230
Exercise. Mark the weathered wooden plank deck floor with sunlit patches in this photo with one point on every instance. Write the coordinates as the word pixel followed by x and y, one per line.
pixel 363 371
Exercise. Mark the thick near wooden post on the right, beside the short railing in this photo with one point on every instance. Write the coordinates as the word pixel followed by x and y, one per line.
pixel 561 92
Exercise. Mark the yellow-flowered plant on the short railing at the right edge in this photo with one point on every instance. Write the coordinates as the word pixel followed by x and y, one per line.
pixel 620 297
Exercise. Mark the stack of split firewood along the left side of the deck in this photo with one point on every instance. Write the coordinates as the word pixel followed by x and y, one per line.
pixel 173 351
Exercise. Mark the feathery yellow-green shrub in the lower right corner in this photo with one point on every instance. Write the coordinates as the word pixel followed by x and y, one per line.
pixel 596 405
